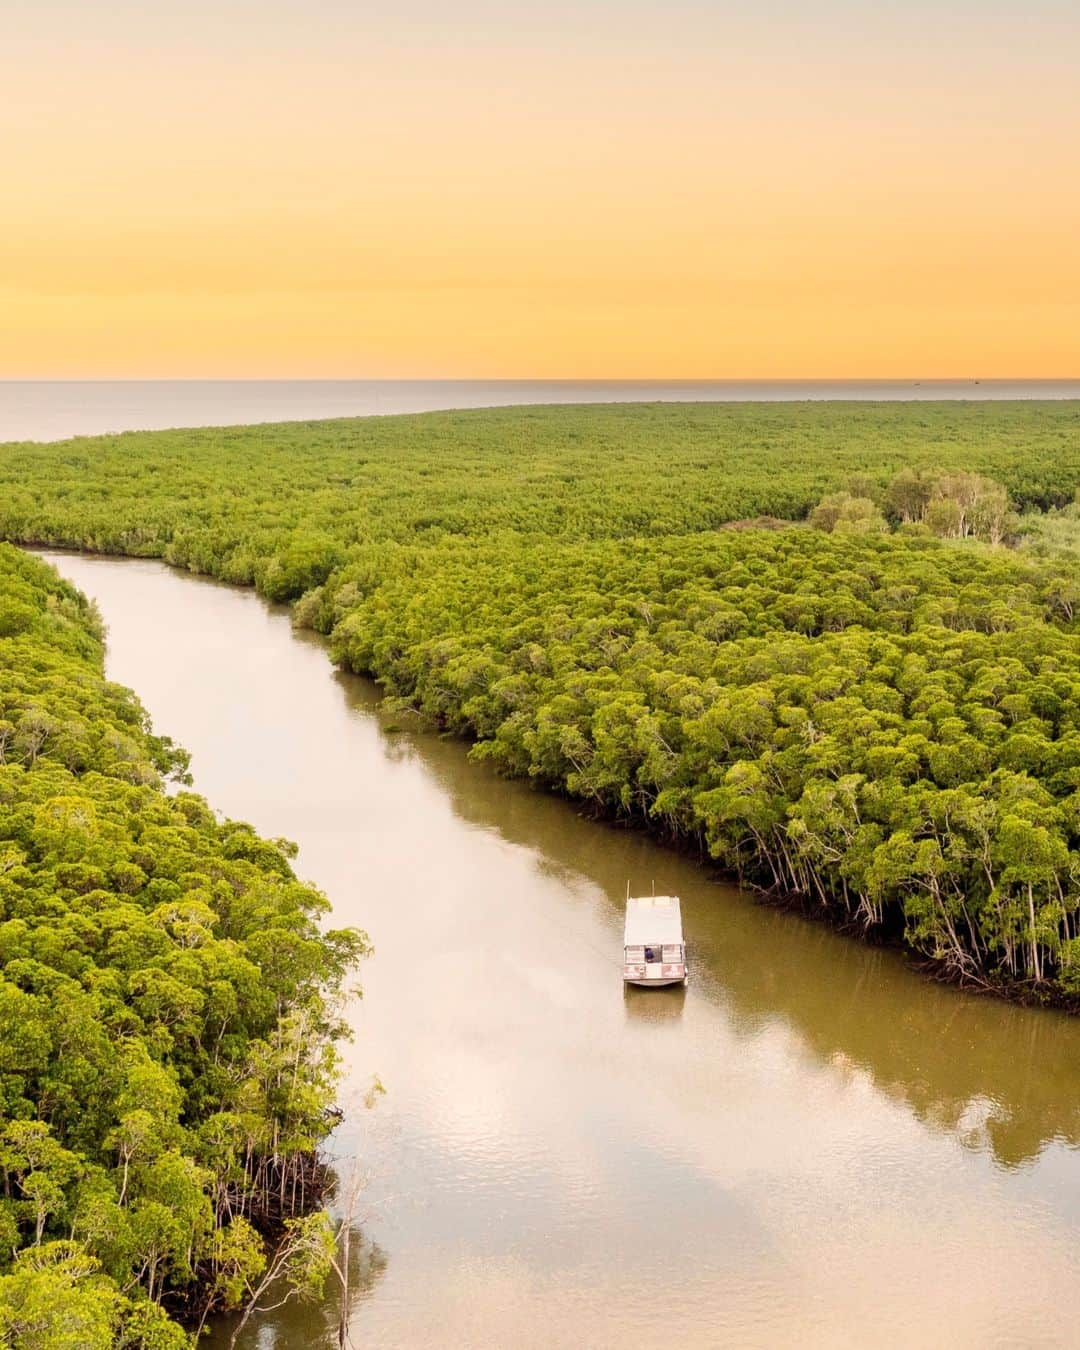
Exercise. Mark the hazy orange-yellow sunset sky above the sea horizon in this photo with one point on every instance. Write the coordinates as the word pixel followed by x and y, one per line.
pixel 681 190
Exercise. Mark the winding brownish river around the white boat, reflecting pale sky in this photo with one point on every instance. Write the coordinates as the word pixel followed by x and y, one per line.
pixel 811 1145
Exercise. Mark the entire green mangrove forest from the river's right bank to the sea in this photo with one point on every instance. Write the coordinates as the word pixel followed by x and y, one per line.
pixel 880 713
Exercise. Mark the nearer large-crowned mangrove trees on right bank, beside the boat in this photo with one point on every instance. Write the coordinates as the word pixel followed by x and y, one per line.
pixel 888 724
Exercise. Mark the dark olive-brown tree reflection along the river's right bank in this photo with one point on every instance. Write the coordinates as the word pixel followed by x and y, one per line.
pixel 1002 1079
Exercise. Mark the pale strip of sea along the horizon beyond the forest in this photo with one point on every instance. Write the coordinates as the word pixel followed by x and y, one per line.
pixel 53 410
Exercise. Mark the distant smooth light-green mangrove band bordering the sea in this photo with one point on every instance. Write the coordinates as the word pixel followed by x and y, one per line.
pixel 271 506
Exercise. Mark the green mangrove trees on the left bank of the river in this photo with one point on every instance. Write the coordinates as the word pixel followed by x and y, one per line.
pixel 167 1004
